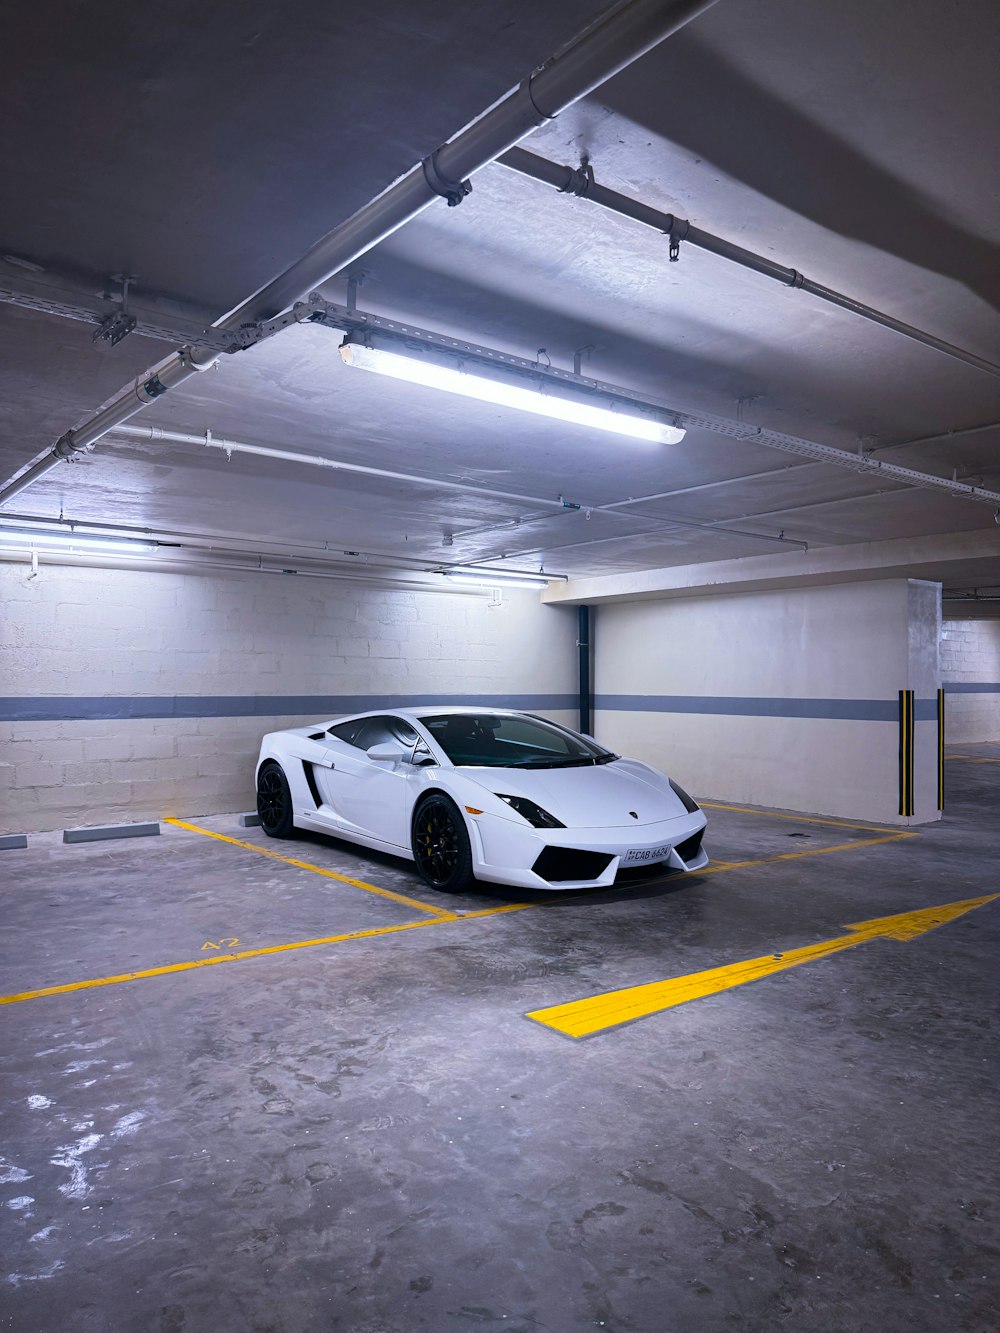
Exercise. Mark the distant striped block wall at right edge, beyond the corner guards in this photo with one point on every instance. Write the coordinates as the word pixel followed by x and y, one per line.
pixel 971 676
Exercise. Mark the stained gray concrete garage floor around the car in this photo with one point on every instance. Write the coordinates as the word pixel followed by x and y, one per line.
pixel 369 1135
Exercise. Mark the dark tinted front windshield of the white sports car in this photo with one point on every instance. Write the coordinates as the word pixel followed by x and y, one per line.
pixel 511 740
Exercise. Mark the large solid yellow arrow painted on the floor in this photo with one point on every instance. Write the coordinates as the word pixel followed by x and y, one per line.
pixel 613 1008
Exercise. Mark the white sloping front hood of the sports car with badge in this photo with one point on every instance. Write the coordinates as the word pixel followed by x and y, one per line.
pixel 623 792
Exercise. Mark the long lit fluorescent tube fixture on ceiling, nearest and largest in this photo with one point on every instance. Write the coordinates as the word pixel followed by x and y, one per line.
pixel 509 383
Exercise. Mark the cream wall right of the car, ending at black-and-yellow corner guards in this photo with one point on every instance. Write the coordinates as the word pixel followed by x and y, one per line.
pixel 705 688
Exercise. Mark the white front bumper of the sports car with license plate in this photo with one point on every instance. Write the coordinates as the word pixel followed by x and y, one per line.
pixel 505 852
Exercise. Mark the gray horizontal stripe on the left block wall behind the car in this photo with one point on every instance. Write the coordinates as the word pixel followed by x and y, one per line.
pixel 58 708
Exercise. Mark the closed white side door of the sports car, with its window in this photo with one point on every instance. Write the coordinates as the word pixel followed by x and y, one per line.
pixel 366 798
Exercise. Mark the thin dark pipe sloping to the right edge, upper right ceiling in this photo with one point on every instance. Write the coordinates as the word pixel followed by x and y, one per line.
pixel 583 185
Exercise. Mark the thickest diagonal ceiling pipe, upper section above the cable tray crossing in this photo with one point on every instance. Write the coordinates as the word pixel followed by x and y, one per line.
pixel 603 50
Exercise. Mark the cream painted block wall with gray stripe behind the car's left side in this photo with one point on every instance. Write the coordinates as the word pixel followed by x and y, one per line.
pixel 78 645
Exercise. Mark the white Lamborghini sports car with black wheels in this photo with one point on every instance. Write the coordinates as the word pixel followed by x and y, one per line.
pixel 479 794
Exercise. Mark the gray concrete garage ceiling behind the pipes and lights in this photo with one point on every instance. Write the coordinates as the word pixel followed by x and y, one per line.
pixel 206 149
